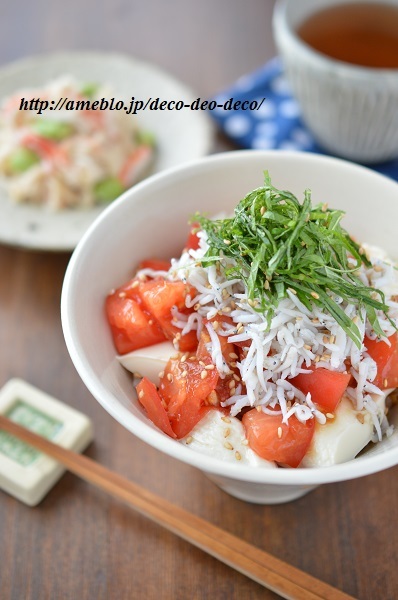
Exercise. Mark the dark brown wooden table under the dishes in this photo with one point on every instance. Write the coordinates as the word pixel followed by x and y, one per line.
pixel 79 543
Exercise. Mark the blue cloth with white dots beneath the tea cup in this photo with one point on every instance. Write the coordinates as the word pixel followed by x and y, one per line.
pixel 277 123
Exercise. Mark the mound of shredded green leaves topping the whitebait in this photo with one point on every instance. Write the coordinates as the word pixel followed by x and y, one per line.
pixel 276 243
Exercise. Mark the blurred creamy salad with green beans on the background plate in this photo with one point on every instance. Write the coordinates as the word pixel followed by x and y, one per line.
pixel 64 158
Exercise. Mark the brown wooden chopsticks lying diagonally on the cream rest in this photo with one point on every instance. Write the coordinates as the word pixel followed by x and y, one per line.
pixel 265 569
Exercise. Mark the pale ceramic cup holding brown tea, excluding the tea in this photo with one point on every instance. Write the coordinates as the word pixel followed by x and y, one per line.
pixel 351 110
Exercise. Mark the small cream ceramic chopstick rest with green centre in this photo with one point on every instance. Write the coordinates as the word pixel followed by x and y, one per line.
pixel 26 473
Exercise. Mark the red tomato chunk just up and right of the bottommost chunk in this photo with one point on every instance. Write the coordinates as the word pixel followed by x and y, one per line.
pixel 326 387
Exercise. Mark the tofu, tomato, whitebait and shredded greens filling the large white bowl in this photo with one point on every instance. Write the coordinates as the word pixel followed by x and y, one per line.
pixel 271 340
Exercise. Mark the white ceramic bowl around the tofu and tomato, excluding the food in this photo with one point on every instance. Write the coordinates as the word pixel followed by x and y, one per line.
pixel 151 220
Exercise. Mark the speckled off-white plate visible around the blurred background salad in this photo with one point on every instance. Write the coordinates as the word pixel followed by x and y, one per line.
pixel 180 135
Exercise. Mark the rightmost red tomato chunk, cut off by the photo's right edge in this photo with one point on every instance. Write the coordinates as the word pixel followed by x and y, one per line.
pixel 386 358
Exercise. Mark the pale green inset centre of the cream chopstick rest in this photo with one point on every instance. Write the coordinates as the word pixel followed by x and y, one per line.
pixel 28 416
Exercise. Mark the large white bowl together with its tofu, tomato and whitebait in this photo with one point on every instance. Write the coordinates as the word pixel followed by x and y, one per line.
pixel 285 329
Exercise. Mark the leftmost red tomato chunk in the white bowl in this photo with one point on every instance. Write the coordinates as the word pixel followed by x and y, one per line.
pixel 132 327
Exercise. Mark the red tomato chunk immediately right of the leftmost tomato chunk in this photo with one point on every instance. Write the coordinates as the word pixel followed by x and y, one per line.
pixel 159 296
